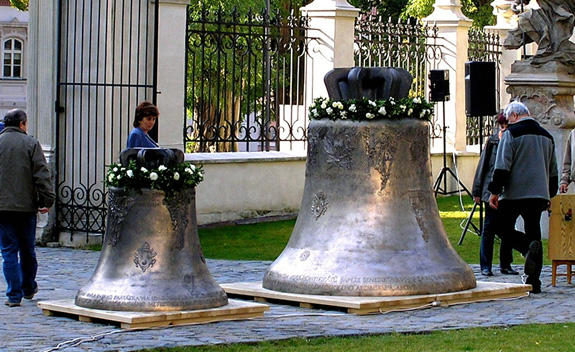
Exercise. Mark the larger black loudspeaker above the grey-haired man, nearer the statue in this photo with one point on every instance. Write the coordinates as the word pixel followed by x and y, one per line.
pixel 480 90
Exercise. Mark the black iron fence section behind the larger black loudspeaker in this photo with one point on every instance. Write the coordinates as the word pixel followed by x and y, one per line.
pixel 484 46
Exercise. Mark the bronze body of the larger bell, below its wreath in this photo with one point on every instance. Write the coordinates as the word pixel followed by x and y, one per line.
pixel 368 223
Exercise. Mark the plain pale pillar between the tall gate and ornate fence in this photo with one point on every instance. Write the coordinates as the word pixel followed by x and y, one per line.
pixel 172 72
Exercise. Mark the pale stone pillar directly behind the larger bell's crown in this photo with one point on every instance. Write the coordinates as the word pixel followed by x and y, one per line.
pixel 332 23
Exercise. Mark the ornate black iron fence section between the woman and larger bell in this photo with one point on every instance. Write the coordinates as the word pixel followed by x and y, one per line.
pixel 246 81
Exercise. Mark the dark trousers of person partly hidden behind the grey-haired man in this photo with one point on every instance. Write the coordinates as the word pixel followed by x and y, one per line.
pixel 487 240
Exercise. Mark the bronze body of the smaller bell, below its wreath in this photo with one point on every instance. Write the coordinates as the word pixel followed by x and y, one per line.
pixel 151 258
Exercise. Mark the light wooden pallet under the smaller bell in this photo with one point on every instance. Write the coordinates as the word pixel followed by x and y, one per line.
pixel 235 310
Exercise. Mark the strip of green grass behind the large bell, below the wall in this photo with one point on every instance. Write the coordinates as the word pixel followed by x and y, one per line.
pixel 265 241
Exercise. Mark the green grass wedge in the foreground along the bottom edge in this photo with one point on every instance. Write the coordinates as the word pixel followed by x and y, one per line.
pixel 524 338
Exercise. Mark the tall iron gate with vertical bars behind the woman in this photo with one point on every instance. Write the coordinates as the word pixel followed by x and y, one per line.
pixel 106 65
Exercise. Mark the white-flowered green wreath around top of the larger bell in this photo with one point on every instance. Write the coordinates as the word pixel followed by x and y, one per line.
pixel 366 109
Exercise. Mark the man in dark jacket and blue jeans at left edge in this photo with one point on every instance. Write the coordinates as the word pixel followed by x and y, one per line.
pixel 25 189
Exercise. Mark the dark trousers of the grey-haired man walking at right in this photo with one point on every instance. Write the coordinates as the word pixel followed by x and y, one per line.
pixel 530 210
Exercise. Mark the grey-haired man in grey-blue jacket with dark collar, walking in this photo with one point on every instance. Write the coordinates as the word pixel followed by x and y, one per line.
pixel 525 179
